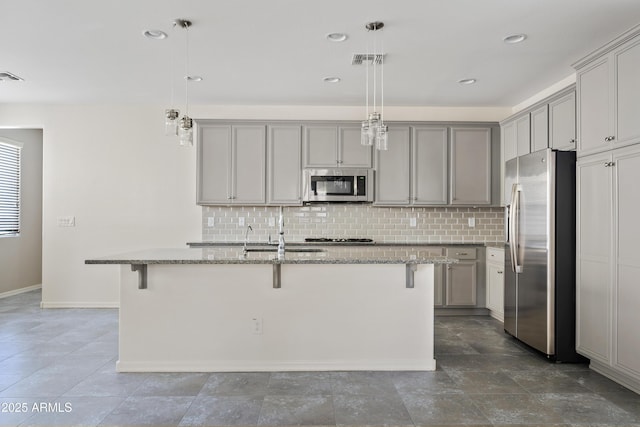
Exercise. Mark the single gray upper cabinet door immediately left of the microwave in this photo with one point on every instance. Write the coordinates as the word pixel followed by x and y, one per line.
pixel 284 165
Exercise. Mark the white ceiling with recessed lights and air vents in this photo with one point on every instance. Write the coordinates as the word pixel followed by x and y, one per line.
pixel 274 52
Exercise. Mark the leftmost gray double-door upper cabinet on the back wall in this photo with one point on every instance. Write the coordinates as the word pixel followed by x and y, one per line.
pixel 231 164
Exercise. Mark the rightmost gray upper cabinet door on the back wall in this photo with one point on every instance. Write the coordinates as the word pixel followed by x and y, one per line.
pixel 470 166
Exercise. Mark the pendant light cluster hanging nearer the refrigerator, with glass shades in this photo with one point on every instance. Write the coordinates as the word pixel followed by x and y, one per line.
pixel 374 131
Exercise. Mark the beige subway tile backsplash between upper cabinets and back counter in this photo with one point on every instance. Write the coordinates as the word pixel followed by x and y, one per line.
pixel 382 224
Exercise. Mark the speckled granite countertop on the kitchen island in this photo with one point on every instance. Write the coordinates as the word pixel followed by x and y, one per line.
pixel 370 254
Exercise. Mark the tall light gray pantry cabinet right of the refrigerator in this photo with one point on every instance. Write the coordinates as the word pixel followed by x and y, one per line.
pixel 608 230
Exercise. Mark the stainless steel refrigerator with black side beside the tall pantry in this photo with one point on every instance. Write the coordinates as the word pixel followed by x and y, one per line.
pixel 539 288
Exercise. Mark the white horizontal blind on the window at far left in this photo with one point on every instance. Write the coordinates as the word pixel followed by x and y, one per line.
pixel 9 189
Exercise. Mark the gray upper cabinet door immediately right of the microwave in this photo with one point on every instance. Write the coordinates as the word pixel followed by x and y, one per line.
pixel 393 169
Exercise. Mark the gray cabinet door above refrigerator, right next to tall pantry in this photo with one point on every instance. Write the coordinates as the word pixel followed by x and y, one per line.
pixel 562 122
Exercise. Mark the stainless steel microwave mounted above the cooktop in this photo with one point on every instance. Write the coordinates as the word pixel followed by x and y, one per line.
pixel 337 185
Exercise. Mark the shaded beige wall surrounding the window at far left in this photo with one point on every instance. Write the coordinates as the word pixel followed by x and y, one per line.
pixel 21 256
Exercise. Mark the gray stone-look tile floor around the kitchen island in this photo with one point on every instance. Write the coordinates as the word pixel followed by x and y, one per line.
pixel 57 368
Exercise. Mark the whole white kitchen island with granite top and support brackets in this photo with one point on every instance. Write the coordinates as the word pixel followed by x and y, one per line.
pixel 224 309
